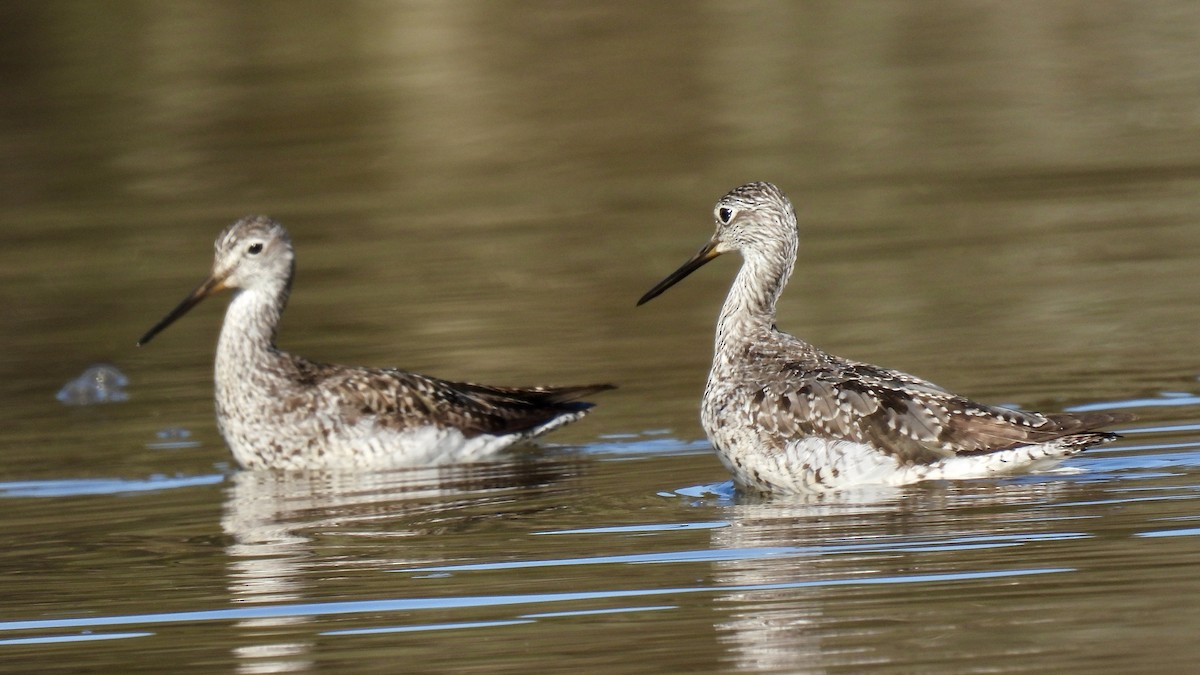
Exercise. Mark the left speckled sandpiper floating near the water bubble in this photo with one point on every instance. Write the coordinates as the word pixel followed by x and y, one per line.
pixel 280 411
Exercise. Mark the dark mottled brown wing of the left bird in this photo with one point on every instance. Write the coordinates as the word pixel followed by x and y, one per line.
pixel 401 401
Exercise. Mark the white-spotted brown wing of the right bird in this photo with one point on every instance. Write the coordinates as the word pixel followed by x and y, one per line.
pixel 904 416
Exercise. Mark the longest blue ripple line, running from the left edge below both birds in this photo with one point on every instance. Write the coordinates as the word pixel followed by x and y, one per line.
pixel 413 605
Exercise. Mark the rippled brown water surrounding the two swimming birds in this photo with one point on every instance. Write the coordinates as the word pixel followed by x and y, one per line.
pixel 998 196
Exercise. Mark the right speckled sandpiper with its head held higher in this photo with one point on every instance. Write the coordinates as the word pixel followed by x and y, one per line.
pixel 787 417
